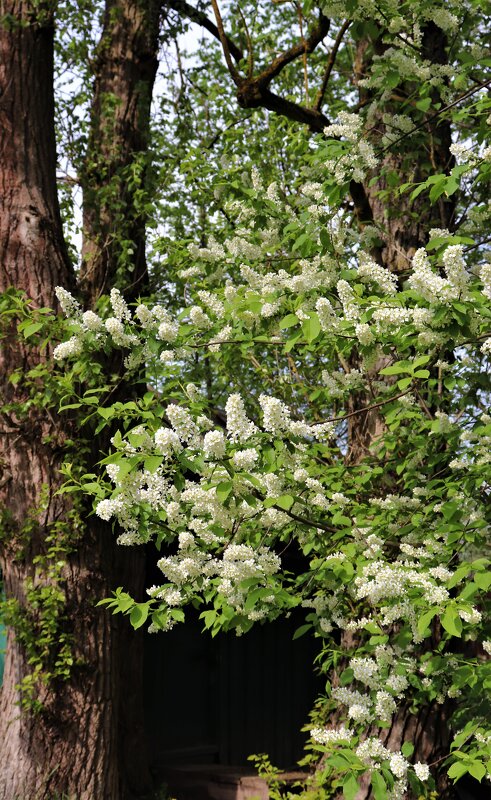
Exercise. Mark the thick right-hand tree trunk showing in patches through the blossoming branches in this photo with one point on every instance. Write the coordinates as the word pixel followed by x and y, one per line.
pixel 404 226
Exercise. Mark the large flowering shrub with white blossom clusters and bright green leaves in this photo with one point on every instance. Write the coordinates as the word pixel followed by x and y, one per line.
pixel 347 423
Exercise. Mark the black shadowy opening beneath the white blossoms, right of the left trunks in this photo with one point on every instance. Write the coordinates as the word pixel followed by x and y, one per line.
pixel 217 701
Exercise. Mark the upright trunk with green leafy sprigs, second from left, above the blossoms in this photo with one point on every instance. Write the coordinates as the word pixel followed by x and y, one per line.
pixel 115 172
